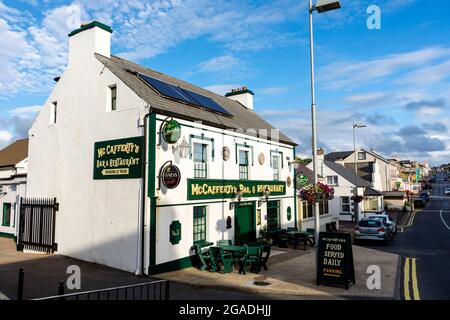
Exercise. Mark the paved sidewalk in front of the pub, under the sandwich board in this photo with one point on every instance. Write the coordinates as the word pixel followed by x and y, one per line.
pixel 296 276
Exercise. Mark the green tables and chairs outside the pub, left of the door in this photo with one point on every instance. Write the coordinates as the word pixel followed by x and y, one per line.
pixel 225 257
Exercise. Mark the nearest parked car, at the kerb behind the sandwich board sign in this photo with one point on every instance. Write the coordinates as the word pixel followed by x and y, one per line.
pixel 372 229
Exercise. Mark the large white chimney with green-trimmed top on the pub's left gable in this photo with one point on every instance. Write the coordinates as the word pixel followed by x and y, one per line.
pixel 94 37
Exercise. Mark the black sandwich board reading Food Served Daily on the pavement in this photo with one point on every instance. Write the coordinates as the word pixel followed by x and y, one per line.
pixel 335 265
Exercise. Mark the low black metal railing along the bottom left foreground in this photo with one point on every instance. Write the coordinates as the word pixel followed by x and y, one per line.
pixel 155 290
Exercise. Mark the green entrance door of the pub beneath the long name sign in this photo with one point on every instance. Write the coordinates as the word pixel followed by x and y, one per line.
pixel 244 223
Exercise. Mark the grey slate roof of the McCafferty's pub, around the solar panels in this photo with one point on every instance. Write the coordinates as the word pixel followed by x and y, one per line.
pixel 243 119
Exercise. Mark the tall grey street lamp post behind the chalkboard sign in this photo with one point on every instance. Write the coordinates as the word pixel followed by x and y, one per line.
pixel 321 6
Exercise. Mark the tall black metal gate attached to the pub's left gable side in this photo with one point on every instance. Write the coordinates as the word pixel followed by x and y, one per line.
pixel 37 224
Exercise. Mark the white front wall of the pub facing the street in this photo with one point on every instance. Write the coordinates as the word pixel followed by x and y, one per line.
pixel 217 169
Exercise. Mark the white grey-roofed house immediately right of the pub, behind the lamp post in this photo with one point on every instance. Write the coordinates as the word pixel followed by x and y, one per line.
pixel 346 185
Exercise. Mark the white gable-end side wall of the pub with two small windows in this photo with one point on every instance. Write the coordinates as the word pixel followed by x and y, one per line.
pixel 98 220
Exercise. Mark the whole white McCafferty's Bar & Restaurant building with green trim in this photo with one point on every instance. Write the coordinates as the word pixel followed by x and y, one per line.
pixel 144 165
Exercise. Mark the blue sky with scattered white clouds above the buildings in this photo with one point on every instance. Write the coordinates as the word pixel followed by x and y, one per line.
pixel 395 79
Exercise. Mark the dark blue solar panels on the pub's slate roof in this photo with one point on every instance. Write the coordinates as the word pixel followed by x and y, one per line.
pixel 184 95
